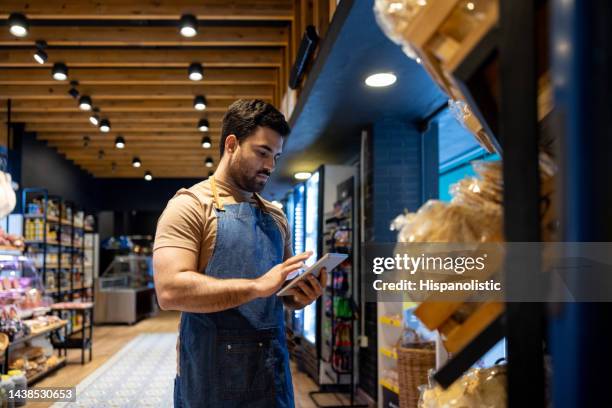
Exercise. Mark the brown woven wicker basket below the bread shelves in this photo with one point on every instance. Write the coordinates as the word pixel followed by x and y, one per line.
pixel 413 365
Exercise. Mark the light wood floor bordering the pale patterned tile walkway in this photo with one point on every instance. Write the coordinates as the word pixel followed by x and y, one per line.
pixel 109 340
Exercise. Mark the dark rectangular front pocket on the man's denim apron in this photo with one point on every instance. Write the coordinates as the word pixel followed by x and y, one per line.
pixel 245 365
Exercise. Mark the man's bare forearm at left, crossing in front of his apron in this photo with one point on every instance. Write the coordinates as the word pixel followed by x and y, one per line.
pixel 194 292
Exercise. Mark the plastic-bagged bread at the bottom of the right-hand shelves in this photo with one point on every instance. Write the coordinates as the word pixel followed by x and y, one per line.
pixel 477 388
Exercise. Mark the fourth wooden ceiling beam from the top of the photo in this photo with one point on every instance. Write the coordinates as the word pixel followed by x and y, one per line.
pixel 139 76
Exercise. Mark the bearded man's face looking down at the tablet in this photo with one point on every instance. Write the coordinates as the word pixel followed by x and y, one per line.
pixel 253 161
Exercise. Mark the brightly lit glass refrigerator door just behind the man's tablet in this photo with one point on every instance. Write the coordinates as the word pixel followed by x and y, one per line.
pixel 311 240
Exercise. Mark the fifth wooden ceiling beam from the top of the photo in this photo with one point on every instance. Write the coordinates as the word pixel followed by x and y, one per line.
pixel 102 92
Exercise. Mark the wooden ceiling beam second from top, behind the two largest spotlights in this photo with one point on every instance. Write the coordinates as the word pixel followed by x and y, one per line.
pixel 147 36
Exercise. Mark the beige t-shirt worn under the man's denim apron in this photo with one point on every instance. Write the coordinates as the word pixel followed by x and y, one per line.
pixel 190 222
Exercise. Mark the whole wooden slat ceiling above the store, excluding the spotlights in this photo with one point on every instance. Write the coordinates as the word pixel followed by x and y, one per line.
pixel 129 57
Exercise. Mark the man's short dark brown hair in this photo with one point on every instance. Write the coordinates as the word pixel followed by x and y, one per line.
pixel 244 116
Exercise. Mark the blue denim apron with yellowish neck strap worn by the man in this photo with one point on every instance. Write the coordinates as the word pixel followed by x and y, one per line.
pixel 237 357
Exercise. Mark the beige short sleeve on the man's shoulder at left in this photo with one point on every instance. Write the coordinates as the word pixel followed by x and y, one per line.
pixel 181 224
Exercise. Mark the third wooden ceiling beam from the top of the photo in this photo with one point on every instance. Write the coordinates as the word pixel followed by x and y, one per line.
pixel 154 57
